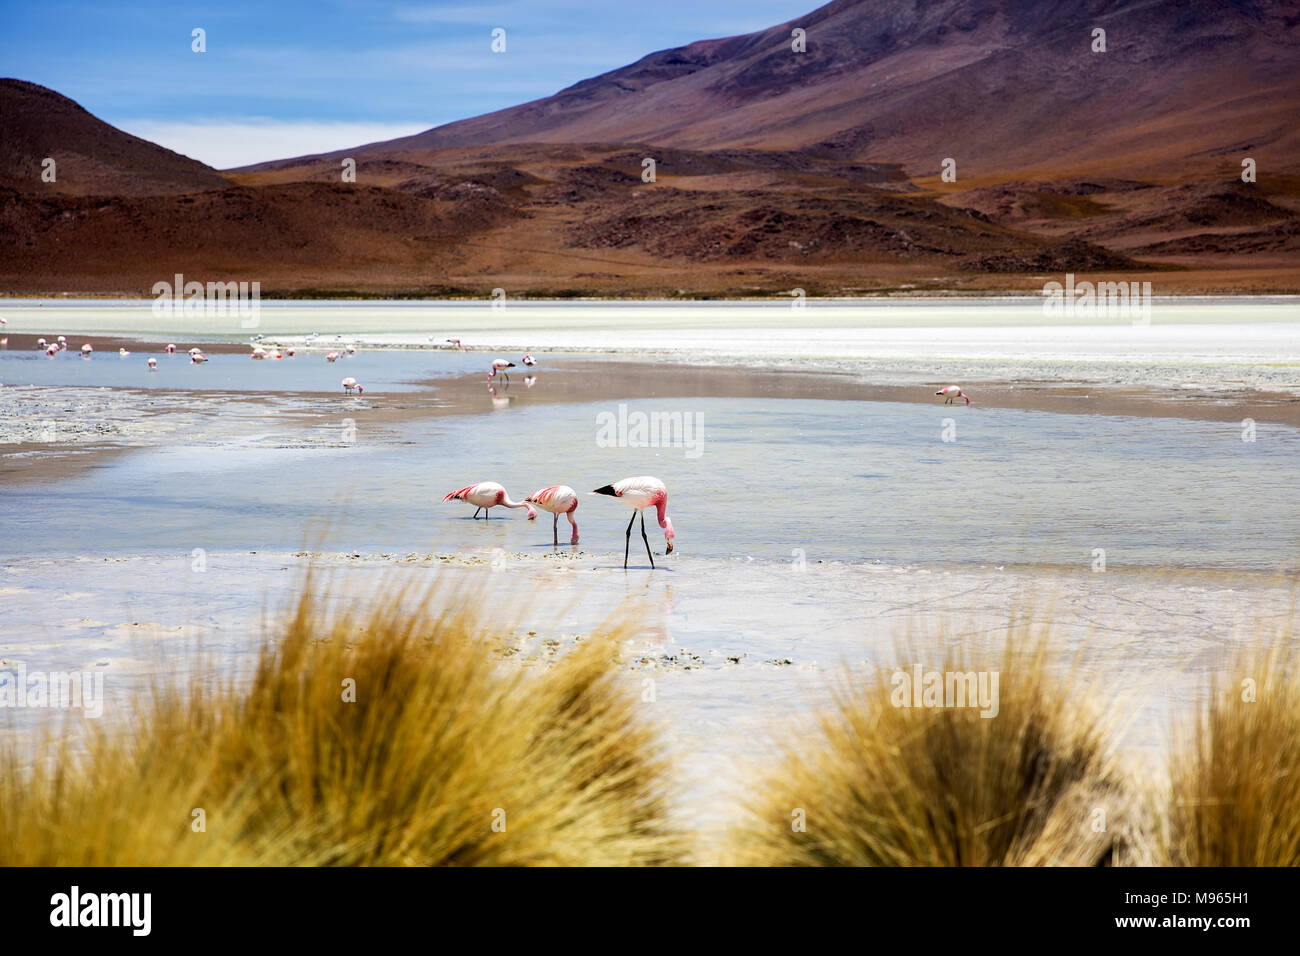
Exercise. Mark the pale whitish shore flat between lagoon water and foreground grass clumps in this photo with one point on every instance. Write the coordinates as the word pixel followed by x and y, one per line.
pixel 1150 639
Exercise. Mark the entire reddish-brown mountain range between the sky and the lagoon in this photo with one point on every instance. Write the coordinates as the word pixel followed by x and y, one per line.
pixel 774 170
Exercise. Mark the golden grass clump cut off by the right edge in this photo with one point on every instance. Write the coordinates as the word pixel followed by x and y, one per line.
pixel 1236 786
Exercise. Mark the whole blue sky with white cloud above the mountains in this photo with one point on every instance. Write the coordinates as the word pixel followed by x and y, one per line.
pixel 284 79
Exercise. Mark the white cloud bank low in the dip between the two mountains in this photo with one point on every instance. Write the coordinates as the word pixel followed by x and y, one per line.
pixel 240 142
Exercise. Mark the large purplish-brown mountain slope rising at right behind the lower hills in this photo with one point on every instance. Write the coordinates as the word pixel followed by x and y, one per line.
pixel 1182 89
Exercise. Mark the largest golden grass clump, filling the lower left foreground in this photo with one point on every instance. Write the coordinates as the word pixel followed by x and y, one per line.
pixel 388 738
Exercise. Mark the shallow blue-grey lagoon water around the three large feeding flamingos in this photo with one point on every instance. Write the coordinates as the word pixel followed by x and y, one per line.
pixel 852 482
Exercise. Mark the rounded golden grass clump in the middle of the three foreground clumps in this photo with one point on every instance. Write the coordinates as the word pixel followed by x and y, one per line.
pixel 882 785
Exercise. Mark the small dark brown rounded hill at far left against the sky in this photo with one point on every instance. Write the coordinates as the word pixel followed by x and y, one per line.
pixel 90 157
